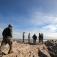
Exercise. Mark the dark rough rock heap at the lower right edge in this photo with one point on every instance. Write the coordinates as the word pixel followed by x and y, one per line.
pixel 52 47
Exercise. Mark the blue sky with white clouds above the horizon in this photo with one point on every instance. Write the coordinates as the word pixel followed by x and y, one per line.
pixel 32 16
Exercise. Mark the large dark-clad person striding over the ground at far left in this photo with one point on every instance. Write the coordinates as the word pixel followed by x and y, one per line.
pixel 7 35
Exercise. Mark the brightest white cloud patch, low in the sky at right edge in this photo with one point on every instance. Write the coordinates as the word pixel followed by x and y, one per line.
pixel 49 28
